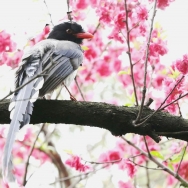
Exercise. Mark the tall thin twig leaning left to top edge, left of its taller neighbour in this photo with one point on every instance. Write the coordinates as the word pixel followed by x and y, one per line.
pixel 129 52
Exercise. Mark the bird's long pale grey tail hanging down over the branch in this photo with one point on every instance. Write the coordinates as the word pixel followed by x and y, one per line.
pixel 21 108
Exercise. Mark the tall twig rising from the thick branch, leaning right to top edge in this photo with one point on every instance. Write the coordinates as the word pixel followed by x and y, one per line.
pixel 146 64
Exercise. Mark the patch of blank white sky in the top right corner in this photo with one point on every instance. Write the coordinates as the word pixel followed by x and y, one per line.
pixel 174 21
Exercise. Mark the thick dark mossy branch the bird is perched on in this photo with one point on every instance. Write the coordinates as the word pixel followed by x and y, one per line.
pixel 116 119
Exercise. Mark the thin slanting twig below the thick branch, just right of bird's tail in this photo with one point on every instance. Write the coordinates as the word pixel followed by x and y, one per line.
pixel 30 153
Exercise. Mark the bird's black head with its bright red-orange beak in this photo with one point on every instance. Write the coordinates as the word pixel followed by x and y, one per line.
pixel 70 31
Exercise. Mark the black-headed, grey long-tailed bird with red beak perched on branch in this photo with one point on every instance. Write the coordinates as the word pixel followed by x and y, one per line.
pixel 44 67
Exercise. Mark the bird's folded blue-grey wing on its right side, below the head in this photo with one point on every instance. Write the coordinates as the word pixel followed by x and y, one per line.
pixel 67 58
